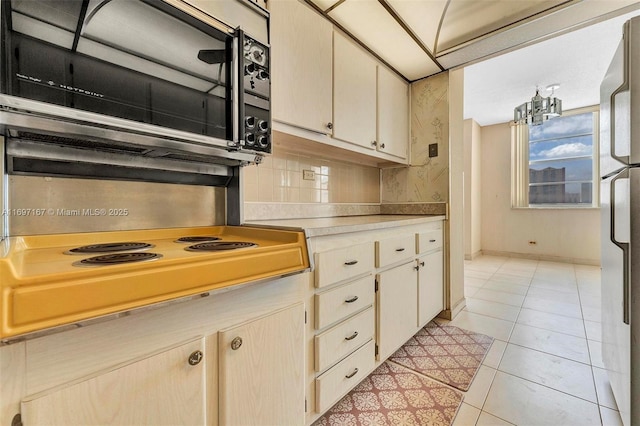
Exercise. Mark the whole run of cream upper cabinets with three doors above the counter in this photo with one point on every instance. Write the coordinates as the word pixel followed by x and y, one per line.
pixel 324 82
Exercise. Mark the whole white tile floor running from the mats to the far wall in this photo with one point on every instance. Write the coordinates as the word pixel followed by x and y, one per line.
pixel 544 368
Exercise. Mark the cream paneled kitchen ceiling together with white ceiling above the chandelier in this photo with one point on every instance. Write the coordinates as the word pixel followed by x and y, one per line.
pixel 508 47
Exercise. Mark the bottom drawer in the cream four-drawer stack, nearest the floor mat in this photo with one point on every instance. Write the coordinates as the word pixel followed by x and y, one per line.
pixel 337 381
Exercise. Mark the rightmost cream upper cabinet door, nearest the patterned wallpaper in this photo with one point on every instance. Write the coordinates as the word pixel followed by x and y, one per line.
pixel 393 114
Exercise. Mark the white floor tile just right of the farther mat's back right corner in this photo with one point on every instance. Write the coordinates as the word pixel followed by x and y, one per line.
pixel 563 345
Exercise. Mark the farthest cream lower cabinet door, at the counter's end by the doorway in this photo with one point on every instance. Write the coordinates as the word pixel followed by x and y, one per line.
pixel 430 287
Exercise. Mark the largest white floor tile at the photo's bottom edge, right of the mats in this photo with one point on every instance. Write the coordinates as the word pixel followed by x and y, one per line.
pixel 523 402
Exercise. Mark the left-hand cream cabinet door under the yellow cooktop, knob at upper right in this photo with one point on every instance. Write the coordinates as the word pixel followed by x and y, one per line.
pixel 167 388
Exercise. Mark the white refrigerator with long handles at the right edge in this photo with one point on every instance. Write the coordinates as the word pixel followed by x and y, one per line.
pixel 620 212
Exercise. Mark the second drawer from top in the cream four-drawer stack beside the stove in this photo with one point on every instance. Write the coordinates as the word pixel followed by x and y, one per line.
pixel 339 303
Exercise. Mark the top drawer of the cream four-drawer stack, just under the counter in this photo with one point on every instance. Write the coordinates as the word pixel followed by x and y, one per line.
pixel 343 263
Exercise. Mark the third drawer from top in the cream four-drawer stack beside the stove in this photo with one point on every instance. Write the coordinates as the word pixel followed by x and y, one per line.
pixel 342 339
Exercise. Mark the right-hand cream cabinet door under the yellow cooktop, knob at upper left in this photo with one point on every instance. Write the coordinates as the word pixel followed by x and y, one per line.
pixel 261 367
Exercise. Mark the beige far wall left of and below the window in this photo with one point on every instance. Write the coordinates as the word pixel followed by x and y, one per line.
pixel 560 234
